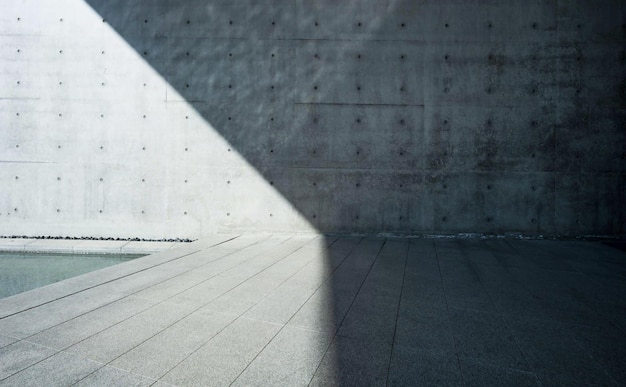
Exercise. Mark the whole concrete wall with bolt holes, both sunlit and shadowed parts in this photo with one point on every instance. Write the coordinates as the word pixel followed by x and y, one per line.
pixel 180 118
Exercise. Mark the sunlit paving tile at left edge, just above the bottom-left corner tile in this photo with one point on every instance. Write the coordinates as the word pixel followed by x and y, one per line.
pixel 21 355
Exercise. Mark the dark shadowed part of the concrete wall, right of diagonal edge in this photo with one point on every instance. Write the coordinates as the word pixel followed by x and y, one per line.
pixel 372 117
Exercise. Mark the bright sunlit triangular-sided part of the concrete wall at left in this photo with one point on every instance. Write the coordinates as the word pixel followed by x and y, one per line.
pixel 102 146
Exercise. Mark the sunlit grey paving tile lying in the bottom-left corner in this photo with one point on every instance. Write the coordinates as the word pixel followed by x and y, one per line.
pixel 61 369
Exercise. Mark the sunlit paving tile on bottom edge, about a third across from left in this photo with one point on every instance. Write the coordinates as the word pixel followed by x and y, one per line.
pixel 222 359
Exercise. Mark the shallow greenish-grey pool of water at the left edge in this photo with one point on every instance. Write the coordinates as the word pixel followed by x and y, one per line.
pixel 20 272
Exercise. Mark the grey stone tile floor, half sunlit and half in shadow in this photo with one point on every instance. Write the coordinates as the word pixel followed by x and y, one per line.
pixel 314 310
